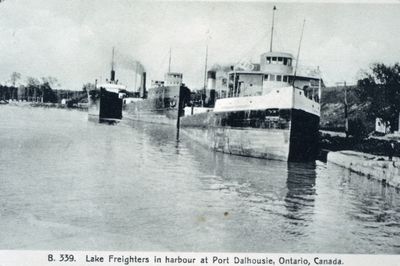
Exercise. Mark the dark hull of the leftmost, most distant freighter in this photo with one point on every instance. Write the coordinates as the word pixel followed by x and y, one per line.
pixel 104 106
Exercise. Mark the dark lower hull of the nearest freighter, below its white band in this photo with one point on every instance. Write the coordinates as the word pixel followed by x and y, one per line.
pixel 279 134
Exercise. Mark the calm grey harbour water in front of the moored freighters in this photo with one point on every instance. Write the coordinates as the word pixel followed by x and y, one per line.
pixel 66 183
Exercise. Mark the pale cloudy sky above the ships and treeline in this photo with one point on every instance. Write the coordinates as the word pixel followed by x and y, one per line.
pixel 72 40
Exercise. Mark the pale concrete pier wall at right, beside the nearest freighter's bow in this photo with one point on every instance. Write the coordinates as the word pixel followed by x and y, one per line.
pixel 377 167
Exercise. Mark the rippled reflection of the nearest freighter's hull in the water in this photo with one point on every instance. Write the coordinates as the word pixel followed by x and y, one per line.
pixel 282 188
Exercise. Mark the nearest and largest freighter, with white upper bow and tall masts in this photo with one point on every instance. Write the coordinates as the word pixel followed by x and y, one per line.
pixel 263 110
